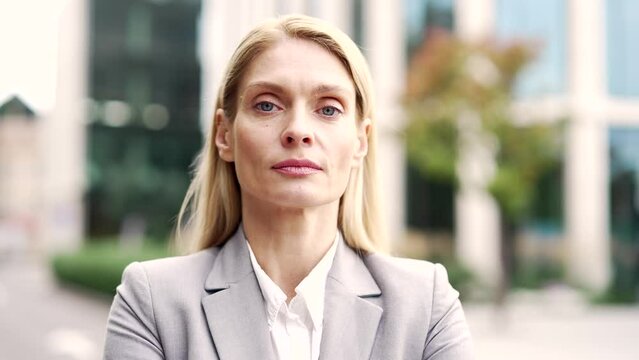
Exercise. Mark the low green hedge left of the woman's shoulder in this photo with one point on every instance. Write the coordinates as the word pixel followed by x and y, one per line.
pixel 99 264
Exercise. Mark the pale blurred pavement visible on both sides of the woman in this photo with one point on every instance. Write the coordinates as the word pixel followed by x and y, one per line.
pixel 41 320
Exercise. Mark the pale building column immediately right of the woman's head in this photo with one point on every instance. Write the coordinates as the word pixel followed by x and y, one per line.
pixel 384 42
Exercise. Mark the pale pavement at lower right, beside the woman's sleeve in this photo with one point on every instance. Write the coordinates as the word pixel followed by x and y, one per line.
pixel 554 326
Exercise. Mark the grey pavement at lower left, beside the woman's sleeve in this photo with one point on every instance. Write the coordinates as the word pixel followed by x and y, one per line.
pixel 41 320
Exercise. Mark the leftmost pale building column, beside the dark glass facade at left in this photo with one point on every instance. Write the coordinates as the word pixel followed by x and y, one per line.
pixel 64 136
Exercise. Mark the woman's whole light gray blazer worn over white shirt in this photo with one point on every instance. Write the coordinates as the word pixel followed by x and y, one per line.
pixel 208 305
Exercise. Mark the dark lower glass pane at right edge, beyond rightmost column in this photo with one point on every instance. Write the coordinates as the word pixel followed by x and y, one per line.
pixel 624 209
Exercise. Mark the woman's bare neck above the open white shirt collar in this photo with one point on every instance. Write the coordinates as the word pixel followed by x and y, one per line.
pixel 288 243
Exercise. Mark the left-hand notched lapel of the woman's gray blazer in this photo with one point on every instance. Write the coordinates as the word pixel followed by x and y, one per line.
pixel 234 310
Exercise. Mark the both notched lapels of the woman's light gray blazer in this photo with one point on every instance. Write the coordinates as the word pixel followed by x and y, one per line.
pixel 237 317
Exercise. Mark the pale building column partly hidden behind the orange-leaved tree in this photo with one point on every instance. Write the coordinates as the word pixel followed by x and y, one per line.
pixel 477 228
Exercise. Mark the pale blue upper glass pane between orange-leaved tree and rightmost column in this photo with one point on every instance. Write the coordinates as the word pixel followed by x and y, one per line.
pixel 544 23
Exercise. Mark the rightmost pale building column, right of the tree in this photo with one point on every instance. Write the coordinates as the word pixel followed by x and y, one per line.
pixel 586 157
